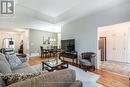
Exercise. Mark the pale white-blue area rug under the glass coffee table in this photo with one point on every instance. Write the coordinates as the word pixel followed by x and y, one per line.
pixel 89 79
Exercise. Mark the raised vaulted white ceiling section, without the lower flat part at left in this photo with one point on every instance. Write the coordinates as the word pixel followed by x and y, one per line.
pixel 62 10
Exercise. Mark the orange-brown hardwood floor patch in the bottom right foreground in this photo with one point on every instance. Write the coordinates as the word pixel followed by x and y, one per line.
pixel 109 79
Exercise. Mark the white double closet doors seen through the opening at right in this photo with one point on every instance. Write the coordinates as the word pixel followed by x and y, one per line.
pixel 117 45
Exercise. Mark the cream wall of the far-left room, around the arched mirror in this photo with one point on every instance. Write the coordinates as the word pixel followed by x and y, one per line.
pixel 18 36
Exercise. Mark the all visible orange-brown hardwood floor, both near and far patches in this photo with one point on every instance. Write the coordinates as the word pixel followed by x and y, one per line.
pixel 108 79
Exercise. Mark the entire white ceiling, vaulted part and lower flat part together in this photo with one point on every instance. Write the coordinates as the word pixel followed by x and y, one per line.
pixel 41 14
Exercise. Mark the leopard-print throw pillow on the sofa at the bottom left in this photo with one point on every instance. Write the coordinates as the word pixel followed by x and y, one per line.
pixel 10 79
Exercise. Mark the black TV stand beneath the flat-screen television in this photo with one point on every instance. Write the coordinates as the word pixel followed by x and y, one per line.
pixel 70 55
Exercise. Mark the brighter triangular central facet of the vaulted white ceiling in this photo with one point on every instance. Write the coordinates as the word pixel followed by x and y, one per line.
pixel 51 8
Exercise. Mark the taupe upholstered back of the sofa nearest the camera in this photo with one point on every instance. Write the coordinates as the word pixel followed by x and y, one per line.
pixel 63 78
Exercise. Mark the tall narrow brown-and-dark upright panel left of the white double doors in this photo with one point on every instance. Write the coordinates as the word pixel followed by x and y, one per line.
pixel 102 48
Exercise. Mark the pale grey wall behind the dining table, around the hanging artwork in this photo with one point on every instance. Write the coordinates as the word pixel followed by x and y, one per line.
pixel 36 40
